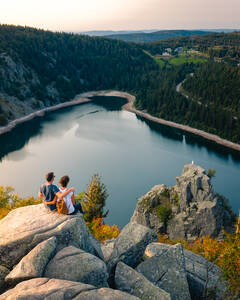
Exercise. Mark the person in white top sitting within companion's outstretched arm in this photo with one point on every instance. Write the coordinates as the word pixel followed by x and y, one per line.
pixel 69 199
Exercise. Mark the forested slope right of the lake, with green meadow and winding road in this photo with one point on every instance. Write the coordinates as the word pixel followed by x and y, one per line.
pixel 213 91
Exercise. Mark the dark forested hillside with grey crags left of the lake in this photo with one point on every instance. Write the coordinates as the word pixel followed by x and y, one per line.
pixel 53 67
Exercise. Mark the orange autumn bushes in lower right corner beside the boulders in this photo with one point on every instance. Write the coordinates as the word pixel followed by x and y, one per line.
pixel 225 254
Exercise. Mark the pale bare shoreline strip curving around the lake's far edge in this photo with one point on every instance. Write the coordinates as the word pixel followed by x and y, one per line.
pixel 84 98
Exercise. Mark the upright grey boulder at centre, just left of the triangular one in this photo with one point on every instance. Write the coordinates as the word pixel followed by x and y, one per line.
pixel 130 245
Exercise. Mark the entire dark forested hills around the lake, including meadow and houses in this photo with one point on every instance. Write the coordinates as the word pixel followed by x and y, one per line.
pixel 41 68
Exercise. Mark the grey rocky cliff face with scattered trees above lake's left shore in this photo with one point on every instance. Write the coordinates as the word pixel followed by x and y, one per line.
pixel 20 89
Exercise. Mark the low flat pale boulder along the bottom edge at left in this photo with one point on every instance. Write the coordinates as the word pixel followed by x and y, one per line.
pixel 50 289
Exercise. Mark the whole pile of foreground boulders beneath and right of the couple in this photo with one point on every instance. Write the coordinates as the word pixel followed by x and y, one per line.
pixel 45 255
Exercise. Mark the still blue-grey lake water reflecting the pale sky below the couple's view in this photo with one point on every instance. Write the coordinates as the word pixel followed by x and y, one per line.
pixel 130 154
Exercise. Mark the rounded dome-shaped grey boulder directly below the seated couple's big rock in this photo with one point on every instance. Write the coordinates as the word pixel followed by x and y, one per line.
pixel 75 264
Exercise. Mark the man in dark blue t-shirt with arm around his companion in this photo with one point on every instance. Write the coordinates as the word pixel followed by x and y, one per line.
pixel 50 192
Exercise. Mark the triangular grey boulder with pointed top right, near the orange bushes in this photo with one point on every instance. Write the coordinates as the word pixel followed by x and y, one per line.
pixel 167 271
